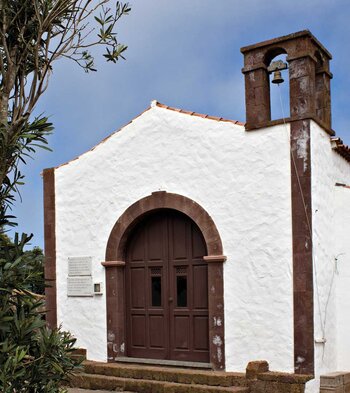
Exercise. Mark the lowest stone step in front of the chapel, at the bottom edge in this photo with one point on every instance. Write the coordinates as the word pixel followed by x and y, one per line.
pixel 104 382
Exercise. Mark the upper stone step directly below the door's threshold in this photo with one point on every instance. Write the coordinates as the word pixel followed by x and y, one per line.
pixel 167 374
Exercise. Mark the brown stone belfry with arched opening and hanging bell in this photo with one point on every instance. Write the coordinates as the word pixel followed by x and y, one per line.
pixel 309 79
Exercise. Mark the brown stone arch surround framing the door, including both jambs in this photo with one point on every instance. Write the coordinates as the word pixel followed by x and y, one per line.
pixel 115 262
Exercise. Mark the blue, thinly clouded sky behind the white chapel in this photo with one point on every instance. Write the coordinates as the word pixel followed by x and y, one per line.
pixel 184 53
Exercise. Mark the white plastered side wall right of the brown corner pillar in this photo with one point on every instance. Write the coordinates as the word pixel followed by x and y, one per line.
pixel 331 223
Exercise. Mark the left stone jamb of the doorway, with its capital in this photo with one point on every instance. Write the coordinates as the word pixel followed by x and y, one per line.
pixel 115 309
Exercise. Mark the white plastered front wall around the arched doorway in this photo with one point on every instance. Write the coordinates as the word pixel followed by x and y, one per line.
pixel 242 179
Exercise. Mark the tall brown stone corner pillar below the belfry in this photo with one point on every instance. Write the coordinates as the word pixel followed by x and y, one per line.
pixel 303 293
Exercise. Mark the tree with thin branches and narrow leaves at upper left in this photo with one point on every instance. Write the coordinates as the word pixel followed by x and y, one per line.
pixel 33 35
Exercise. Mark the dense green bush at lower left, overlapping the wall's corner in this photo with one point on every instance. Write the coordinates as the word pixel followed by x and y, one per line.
pixel 33 358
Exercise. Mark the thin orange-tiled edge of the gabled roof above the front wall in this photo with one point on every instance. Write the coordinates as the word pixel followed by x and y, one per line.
pixel 155 103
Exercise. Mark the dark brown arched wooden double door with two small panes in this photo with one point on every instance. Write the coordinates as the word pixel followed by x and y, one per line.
pixel 167 289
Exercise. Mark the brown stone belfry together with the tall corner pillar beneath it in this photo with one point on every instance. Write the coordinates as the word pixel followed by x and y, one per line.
pixel 309 89
